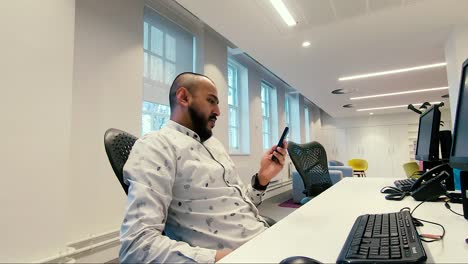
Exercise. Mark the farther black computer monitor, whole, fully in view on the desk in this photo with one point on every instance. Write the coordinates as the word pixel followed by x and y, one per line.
pixel 427 146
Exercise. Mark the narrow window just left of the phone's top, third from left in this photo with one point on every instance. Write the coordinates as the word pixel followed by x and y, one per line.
pixel 269 115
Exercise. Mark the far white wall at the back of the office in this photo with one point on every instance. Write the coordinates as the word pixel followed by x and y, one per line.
pixel 386 141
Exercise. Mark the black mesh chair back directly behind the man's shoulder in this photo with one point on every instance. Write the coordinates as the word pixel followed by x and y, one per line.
pixel 118 145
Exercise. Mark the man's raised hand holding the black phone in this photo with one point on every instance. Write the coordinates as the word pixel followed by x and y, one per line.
pixel 269 168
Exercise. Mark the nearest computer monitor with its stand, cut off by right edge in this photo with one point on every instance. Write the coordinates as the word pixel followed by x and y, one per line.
pixel 459 151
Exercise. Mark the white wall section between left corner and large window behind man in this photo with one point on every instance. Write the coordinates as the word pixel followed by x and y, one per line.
pixel 107 92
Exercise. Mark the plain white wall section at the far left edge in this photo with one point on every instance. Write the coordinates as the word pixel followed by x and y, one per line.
pixel 35 110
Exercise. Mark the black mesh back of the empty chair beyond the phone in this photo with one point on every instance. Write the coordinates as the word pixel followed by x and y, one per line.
pixel 310 160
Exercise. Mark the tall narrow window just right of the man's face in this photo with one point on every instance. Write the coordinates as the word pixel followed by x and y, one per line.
pixel 238 115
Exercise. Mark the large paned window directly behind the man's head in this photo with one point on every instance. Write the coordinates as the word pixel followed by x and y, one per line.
pixel 167 51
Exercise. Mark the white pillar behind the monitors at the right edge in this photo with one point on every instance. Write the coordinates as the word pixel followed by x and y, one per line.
pixel 456 52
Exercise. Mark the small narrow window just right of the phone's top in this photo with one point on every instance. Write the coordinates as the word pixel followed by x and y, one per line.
pixel 291 106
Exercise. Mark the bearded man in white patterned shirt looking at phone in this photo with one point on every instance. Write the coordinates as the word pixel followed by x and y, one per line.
pixel 183 182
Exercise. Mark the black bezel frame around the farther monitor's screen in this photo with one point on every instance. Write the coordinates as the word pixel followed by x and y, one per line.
pixel 433 154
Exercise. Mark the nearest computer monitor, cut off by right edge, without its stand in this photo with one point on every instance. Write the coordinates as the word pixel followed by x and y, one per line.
pixel 459 151
